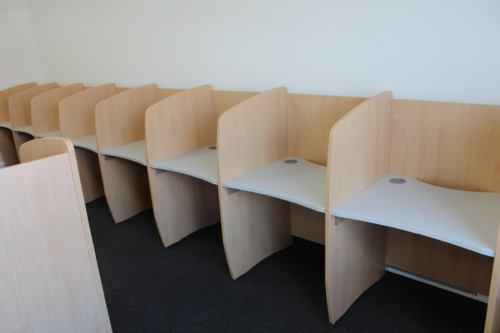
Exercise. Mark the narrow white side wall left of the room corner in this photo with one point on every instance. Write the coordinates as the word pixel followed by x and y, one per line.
pixel 18 56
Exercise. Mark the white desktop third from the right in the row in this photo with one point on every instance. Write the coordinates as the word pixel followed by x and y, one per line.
pixel 200 163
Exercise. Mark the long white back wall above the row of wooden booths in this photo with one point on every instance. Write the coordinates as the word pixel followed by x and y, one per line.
pixel 445 50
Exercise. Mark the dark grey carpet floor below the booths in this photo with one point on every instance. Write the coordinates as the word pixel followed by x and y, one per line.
pixel 187 288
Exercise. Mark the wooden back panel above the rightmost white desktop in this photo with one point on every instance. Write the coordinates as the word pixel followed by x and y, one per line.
pixel 450 145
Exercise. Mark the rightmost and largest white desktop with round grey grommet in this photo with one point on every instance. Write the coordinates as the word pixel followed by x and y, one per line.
pixel 466 219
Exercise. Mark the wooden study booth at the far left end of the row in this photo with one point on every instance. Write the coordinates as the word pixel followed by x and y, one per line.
pixel 7 145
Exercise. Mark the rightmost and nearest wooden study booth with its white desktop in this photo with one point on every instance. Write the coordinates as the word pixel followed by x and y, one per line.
pixel 414 185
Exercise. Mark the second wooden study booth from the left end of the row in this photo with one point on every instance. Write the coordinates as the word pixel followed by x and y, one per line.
pixel 20 113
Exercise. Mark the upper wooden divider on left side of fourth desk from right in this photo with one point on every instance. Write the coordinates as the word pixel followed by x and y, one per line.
pixel 120 119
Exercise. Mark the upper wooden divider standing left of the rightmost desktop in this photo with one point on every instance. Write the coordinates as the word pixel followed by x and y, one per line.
pixel 359 149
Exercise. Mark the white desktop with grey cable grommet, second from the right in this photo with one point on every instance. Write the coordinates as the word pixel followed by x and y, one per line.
pixel 303 183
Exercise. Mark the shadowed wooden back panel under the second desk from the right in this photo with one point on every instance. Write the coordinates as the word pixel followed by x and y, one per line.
pixel 307 223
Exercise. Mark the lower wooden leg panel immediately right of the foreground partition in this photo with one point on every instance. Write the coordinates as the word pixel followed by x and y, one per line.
pixel 90 174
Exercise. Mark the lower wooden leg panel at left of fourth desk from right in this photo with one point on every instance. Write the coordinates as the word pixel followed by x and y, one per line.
pixel 126 187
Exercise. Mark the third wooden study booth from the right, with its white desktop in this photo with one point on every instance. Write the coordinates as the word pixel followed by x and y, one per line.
pixel 181 137
